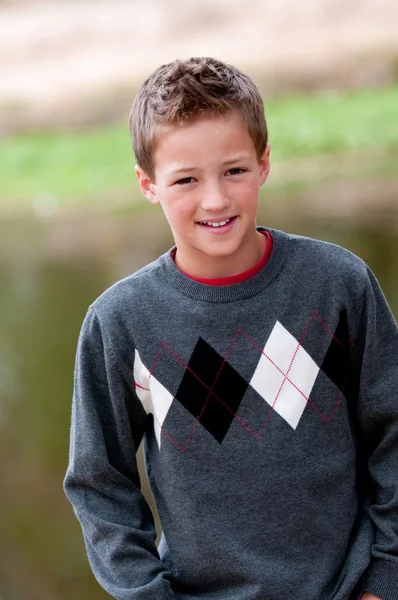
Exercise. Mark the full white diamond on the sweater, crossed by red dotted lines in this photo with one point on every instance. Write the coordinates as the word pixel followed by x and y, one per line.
pixel 270 372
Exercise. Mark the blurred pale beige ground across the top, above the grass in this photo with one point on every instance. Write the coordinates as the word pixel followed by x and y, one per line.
pixel 80 62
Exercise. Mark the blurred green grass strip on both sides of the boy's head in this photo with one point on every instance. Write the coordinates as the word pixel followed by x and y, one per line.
pixel 72 167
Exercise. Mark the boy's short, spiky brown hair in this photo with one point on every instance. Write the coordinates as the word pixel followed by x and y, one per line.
pixel 186 89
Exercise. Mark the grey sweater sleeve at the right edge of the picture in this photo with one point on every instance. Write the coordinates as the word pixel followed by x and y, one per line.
pixel 378 422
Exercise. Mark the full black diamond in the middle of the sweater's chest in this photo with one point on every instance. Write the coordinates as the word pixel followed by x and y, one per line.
pixel 204 375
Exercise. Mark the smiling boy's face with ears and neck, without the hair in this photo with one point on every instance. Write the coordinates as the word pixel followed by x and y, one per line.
pixel 207 179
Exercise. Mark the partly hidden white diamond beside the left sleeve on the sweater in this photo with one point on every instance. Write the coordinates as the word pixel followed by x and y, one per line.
pixel 153 395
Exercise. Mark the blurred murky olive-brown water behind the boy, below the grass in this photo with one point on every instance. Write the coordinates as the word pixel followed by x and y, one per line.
pixel 50 271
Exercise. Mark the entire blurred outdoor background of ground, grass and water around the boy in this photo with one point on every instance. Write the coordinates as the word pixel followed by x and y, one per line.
pixel 72 221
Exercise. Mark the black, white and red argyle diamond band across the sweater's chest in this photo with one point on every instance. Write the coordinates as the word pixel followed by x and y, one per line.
pixel 212 390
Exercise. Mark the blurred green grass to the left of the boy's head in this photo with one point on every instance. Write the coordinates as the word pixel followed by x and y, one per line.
pixel 67 165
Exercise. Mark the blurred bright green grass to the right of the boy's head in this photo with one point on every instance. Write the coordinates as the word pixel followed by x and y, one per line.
pixel 307 125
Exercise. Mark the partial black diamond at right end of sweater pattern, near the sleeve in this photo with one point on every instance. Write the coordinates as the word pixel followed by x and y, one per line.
pixel 336 361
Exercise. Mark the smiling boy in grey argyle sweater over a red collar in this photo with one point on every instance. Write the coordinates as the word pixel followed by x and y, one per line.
pixel 260 368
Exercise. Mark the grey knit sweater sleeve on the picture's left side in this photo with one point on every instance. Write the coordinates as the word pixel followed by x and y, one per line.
pixel 102 480
